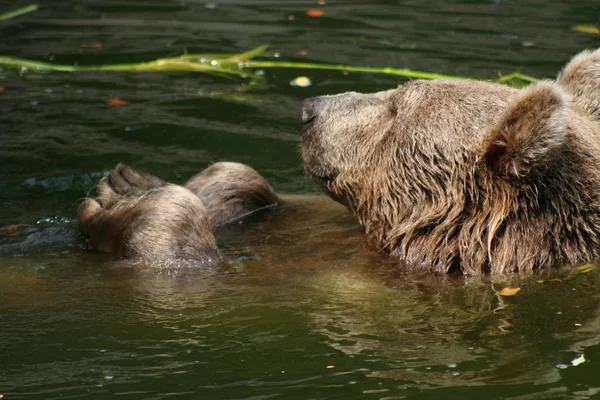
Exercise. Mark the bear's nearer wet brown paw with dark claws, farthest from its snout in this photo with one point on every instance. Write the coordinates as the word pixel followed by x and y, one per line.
pixel 140 217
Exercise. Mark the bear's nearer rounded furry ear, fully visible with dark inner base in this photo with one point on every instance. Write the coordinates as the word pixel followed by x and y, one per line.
pixel 532 128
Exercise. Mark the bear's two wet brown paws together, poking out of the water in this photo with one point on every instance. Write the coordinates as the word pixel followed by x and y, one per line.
pixel 140 217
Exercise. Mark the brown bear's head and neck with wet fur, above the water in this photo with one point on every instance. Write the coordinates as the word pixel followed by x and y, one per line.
pixel 459 175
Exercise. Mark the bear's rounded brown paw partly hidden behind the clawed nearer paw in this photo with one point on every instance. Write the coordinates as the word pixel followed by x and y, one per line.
pixel 230 191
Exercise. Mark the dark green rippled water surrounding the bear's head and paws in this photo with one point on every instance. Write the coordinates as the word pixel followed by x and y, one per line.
pixel 301 309
